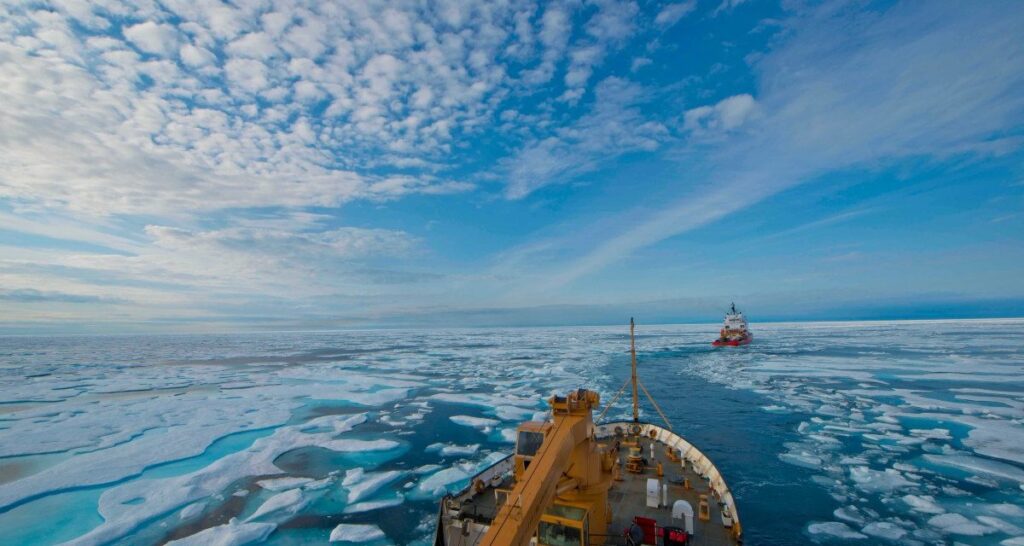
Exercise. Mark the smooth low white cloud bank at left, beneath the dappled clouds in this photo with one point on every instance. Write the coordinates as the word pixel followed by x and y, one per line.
pixel 179 271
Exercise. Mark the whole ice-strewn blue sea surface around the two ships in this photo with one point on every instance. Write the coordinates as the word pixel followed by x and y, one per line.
pixel 831 434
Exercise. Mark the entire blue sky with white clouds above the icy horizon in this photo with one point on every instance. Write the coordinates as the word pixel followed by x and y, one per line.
pixel 199 165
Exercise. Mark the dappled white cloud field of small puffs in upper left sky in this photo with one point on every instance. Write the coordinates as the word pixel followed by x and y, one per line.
pixel 404 91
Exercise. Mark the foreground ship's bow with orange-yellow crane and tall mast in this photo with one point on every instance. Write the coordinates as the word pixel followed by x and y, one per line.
pixel 574 483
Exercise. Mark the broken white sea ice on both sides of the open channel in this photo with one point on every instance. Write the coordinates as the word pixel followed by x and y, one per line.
pixel 880 409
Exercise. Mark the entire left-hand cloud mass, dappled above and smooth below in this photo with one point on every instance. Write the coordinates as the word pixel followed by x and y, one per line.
pixel 221 123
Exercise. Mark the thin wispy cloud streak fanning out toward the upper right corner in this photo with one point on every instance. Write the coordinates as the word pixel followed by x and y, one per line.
pixel 837 95
